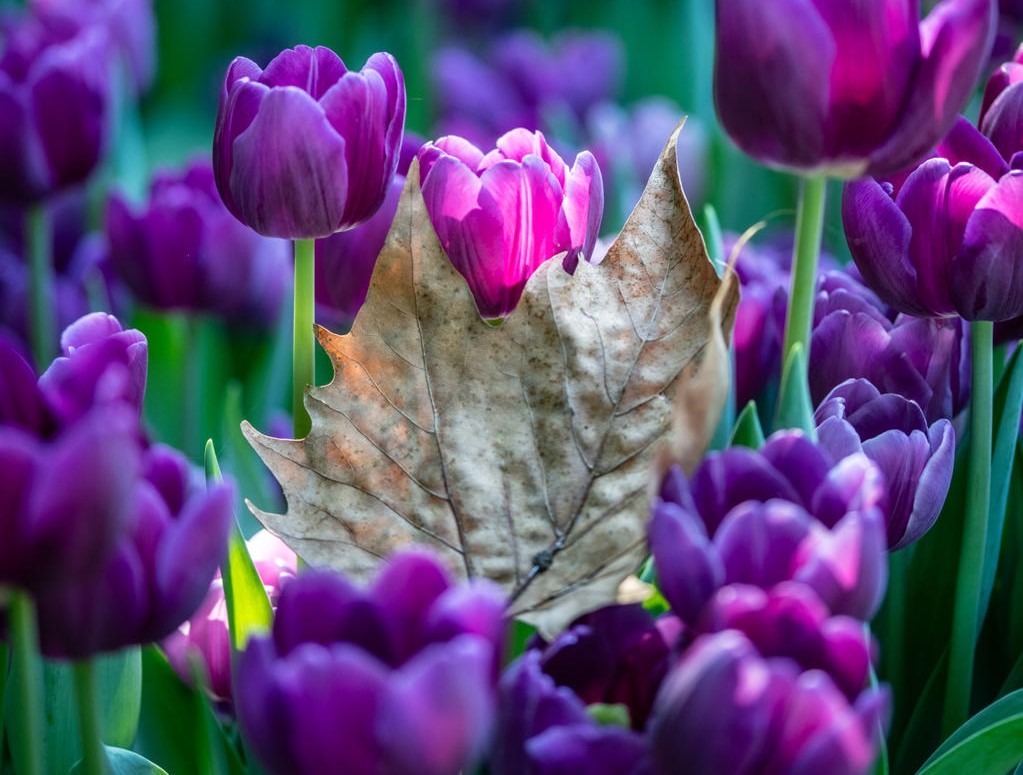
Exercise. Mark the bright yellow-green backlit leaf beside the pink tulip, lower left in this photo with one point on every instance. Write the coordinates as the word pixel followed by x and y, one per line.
pixel 249 611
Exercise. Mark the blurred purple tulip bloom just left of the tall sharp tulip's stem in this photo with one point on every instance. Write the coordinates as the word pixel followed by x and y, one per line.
pixel 185 251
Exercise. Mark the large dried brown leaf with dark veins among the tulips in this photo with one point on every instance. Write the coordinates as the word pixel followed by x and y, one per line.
pixel 521 452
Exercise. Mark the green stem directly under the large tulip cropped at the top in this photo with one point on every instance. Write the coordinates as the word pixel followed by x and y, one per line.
pixel 810 226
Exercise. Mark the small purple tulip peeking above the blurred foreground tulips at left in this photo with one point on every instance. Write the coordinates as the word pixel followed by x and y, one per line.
pixel 102 366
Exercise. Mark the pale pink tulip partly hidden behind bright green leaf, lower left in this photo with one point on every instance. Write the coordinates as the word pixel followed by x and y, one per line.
pixel 206 635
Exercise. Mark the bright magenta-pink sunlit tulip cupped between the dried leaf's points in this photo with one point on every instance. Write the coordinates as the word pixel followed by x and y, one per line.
pixel 501 216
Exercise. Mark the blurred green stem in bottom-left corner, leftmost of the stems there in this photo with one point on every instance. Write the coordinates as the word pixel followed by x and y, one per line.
pixel 27 679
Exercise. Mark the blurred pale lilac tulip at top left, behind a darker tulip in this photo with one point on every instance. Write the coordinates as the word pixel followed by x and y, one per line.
pixel 130 25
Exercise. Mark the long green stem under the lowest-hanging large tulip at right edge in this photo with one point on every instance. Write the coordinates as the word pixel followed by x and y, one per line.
pixel 971 568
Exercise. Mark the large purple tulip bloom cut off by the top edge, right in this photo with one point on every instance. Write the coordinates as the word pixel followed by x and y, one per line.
pixel 822 87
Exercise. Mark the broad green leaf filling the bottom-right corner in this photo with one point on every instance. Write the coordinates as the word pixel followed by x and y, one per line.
pixel 990 743
